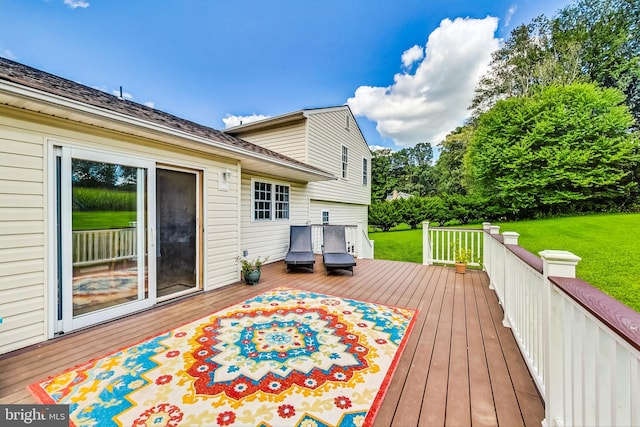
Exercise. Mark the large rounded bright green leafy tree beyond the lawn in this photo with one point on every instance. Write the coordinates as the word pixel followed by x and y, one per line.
pixel 564 149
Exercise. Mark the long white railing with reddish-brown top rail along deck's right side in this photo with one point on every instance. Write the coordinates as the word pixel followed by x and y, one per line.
pixel 582 347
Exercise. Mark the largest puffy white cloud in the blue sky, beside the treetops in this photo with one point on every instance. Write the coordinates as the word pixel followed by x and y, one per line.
pixel 426 105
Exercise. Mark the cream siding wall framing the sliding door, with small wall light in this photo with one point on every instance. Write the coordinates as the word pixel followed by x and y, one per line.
pixel 25 216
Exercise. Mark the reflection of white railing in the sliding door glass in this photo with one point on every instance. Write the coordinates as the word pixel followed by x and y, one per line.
pixel 92 247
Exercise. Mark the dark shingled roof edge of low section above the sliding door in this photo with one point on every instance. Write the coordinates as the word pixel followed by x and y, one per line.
pixel 24 75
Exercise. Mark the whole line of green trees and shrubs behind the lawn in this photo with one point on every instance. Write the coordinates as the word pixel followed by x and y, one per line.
pixel 553 129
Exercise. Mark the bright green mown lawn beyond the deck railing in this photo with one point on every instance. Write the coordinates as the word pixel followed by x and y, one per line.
pixel 609 246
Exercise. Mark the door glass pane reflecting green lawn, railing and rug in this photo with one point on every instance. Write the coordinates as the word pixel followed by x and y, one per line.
pixel 104 215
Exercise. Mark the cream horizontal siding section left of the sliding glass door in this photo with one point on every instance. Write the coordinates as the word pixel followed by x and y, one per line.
pixel 22 234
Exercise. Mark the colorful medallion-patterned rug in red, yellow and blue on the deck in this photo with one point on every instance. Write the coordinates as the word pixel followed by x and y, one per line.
pixel 283 358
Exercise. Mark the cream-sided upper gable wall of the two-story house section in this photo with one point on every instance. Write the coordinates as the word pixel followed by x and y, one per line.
pixel 327 133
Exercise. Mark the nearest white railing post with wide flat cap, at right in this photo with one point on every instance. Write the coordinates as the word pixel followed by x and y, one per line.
pixel 561 264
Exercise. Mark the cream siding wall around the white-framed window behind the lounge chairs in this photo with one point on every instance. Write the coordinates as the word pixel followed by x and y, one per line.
pixel 262 238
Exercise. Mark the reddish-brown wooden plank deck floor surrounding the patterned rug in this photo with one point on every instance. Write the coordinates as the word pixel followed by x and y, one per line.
pixel 461 367
